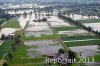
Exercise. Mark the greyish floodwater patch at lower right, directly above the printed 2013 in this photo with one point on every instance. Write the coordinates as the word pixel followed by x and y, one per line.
pixel 86 50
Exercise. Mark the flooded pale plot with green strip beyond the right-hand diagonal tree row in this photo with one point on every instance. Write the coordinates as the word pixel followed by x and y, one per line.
pixel 93 22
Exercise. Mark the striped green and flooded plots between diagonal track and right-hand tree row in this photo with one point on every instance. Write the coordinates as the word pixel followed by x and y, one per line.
pixel 80 41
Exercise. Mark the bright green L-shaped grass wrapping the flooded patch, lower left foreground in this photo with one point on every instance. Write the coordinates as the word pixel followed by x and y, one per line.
pixel 21 58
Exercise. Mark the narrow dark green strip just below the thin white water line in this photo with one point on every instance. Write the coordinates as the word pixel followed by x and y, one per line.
pixel 82 43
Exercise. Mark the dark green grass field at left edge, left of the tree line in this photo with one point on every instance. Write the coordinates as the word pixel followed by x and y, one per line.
pixel 5 47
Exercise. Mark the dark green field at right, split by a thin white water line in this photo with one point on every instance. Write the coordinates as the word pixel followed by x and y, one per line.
pixel 80 39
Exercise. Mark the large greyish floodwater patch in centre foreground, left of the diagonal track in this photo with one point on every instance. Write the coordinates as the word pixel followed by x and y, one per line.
pixel 44 47
